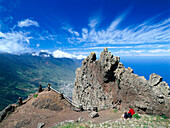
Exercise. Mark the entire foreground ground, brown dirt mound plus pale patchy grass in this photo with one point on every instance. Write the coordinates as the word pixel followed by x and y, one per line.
pixel 47 108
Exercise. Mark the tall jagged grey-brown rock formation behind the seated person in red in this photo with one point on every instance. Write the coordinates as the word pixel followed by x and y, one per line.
pixel 104 81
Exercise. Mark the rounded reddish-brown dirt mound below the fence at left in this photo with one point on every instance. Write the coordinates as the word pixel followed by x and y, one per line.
pixel 47 107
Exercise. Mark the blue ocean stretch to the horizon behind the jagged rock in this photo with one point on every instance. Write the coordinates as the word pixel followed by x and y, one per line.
pixel 145 66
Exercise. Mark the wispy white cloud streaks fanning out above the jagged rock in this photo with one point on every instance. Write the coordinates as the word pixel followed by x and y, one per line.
pixel 146 32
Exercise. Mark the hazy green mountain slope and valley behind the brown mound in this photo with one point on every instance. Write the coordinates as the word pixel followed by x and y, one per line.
pixel 22 74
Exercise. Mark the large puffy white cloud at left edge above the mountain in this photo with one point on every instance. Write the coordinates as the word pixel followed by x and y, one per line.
pixel 14 42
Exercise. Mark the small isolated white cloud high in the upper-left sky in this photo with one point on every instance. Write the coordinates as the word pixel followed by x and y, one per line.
pixel 27 23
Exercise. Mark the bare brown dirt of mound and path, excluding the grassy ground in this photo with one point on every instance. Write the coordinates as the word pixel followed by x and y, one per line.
pixel 28 116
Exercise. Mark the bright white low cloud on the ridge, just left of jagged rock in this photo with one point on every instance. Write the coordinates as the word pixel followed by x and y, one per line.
pixel 61 54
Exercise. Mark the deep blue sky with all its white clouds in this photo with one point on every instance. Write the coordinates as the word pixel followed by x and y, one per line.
pixel 74 28
